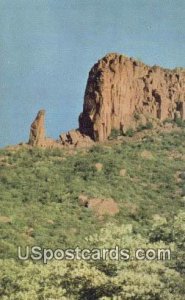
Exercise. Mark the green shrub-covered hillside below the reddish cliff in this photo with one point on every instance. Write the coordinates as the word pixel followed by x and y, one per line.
pixel 39 206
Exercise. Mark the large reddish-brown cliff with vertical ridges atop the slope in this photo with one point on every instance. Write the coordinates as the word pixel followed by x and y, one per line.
pixel 123 93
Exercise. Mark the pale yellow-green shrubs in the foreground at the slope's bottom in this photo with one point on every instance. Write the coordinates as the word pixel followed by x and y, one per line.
pixel 123 279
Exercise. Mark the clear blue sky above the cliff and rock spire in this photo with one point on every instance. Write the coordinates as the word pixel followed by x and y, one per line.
pixel 47 48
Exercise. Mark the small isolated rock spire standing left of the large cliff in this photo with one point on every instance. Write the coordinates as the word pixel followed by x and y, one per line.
pixel 37 130
